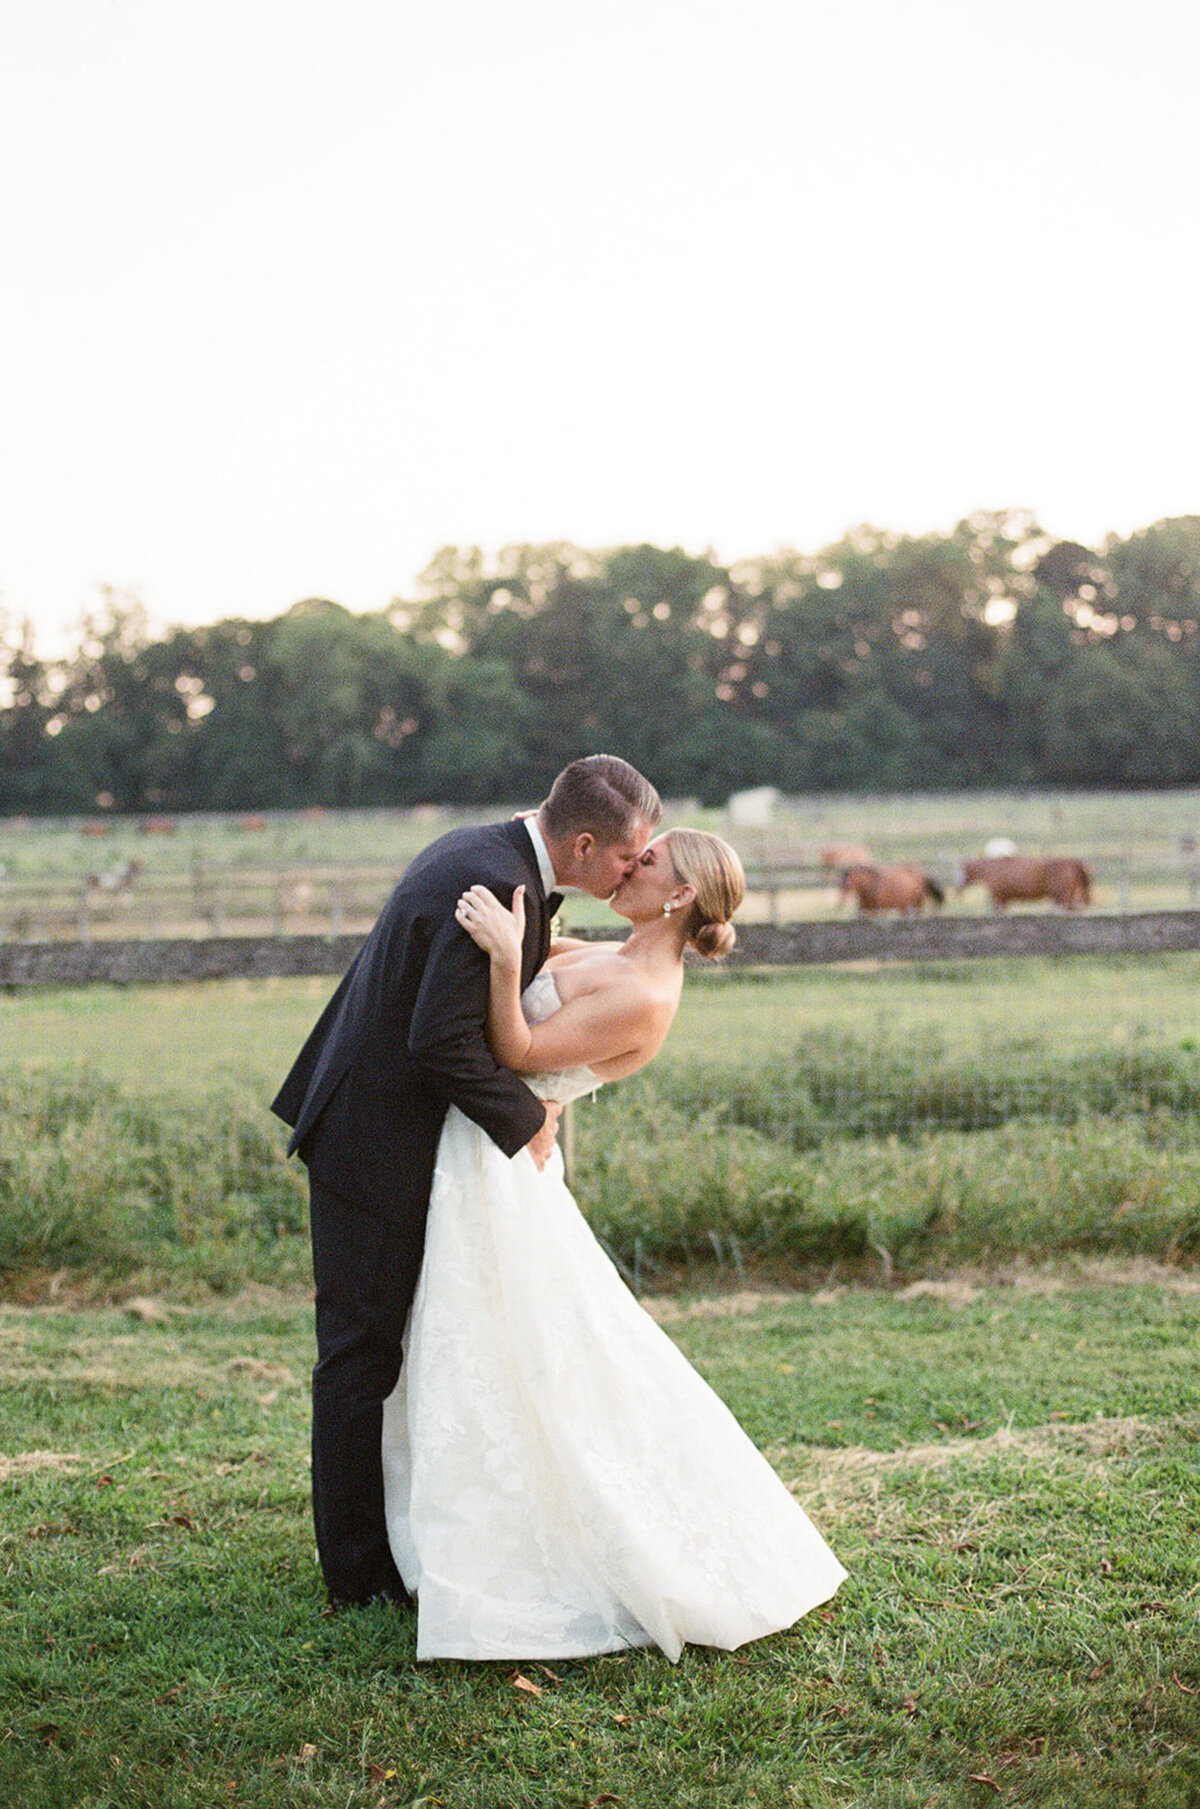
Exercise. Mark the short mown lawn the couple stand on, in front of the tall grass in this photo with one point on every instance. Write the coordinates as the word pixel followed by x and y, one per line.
pixel 1005 1470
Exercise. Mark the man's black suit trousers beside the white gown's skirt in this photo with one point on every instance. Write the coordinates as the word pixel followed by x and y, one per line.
pixel 367 1271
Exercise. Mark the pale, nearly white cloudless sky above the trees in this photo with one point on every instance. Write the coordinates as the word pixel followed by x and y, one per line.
pixel 298 292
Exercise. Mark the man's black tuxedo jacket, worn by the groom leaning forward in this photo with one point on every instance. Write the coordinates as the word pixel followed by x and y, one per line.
pixel 405 1036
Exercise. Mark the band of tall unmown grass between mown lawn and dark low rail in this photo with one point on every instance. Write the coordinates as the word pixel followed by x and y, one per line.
pixel 886 1122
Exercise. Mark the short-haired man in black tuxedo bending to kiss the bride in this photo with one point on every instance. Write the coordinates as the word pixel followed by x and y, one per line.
pixel 401 1041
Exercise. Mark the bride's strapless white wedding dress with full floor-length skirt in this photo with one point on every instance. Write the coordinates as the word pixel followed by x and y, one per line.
pixel 560 1481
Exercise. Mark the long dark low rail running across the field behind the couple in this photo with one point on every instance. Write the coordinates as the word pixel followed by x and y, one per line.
pixel 140 961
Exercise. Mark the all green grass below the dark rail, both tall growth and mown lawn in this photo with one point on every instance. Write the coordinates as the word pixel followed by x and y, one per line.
pixel 998 1437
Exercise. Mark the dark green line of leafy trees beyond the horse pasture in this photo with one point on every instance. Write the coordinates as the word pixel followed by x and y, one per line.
pixel 991 656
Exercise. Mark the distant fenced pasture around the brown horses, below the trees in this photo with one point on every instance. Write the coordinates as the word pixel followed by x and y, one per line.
pixel 309 871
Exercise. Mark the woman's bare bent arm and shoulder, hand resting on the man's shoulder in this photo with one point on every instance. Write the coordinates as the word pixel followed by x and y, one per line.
pixel 613 1027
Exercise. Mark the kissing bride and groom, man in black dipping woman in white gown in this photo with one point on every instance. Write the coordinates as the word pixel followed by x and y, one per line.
pixel 500 1432
